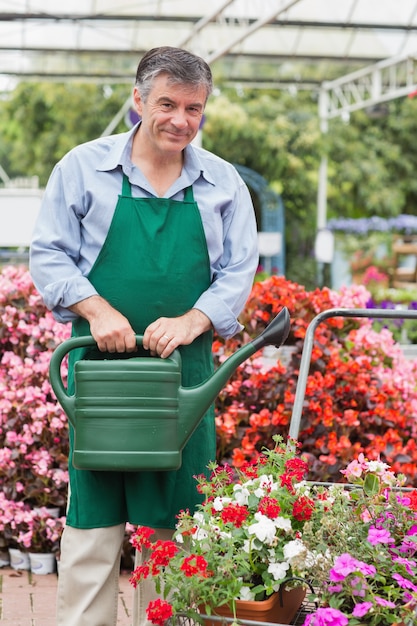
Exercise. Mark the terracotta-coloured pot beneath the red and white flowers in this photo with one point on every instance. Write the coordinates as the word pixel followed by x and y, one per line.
pixel 280 608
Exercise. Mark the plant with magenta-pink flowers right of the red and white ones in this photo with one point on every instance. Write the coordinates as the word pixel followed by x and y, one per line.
pixel 364 544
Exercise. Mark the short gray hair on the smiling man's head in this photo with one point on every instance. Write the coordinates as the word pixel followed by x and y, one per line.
pixel 182 67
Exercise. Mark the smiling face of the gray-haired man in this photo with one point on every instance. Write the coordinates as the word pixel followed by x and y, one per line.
pixel 171 115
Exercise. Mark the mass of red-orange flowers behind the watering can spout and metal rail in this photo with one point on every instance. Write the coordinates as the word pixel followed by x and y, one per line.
pixel 360 397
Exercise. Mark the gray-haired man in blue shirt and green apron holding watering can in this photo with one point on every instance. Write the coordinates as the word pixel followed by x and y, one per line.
pixel 143 233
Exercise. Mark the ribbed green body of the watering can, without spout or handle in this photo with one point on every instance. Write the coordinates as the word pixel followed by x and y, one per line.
pixel 125 411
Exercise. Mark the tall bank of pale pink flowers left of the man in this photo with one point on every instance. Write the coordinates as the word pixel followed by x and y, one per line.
pixel 33 434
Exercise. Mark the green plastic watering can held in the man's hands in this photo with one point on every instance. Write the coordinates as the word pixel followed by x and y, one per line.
pixel 132 413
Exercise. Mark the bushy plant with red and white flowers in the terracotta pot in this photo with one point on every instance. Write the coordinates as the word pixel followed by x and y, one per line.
pixel 241 544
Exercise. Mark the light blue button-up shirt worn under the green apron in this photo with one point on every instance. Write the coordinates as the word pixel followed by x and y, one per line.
pixel 78 206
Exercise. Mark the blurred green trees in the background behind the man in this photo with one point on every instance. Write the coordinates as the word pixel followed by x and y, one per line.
pixel 371 159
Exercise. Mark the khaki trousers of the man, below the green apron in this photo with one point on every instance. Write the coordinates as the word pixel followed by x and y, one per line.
pixel 88 581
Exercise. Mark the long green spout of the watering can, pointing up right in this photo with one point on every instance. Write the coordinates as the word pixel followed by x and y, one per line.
pixel 195 401
